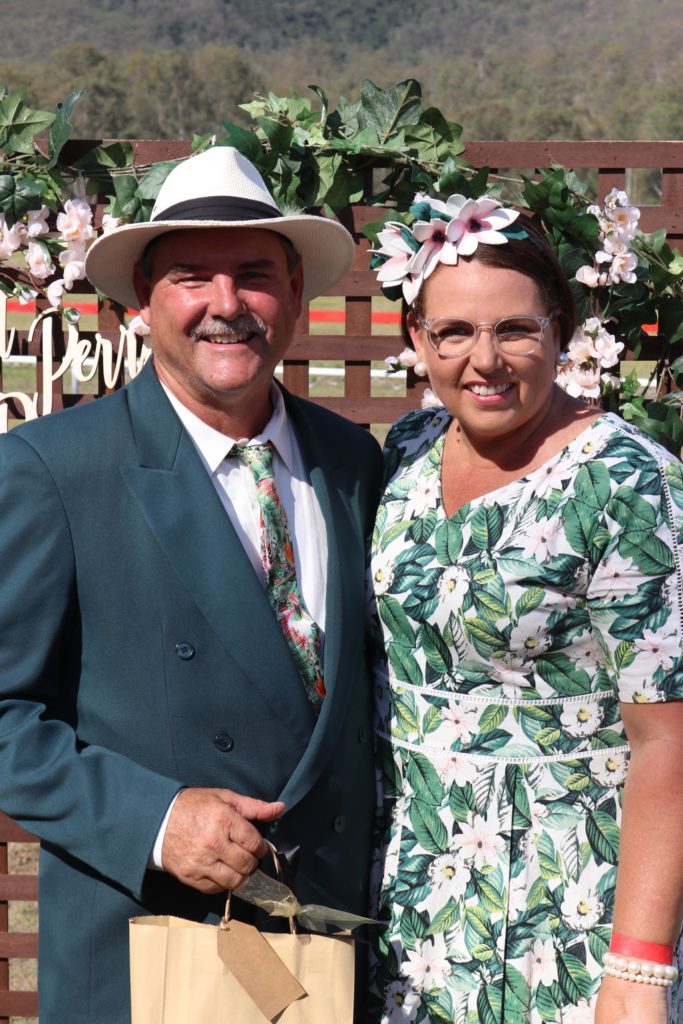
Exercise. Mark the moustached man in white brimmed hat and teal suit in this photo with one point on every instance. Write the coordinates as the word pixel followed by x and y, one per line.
pixel 159 709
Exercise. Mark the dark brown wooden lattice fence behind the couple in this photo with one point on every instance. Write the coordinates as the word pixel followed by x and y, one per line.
pixel 358 348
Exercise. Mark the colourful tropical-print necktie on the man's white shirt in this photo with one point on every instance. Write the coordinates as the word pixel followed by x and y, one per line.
pixel 282 586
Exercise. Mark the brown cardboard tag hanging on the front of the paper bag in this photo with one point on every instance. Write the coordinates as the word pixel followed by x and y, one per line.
pixel 259 969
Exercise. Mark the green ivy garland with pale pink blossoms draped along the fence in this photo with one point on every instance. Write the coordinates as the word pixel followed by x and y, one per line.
pixel 381 151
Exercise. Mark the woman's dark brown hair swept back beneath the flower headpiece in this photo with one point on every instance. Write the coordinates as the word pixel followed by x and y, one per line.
pixel 532 257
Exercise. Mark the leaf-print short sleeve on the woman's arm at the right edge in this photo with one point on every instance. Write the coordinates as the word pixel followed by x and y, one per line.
pixel 635 598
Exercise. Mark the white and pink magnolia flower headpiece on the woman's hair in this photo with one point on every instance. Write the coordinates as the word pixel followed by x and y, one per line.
pixel 440 234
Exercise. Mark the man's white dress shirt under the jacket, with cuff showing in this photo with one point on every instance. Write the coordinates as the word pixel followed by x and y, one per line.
pixel 237 489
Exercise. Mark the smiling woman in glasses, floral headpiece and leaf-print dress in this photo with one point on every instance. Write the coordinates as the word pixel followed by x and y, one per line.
pixel 527 565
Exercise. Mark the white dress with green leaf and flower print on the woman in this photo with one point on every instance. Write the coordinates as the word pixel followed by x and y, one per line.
pixel 513 630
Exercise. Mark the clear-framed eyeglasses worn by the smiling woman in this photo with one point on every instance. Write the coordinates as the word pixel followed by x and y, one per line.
pixel 513 335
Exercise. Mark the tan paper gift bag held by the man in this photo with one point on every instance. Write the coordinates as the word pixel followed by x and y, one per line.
pixel 179 976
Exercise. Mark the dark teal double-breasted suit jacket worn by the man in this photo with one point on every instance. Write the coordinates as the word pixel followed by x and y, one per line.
pixel 139 654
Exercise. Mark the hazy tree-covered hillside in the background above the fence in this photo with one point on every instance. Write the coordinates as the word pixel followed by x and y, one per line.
pixel 503 69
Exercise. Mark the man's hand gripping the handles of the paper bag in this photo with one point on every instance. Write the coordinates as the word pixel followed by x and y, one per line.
pixel 210 843
